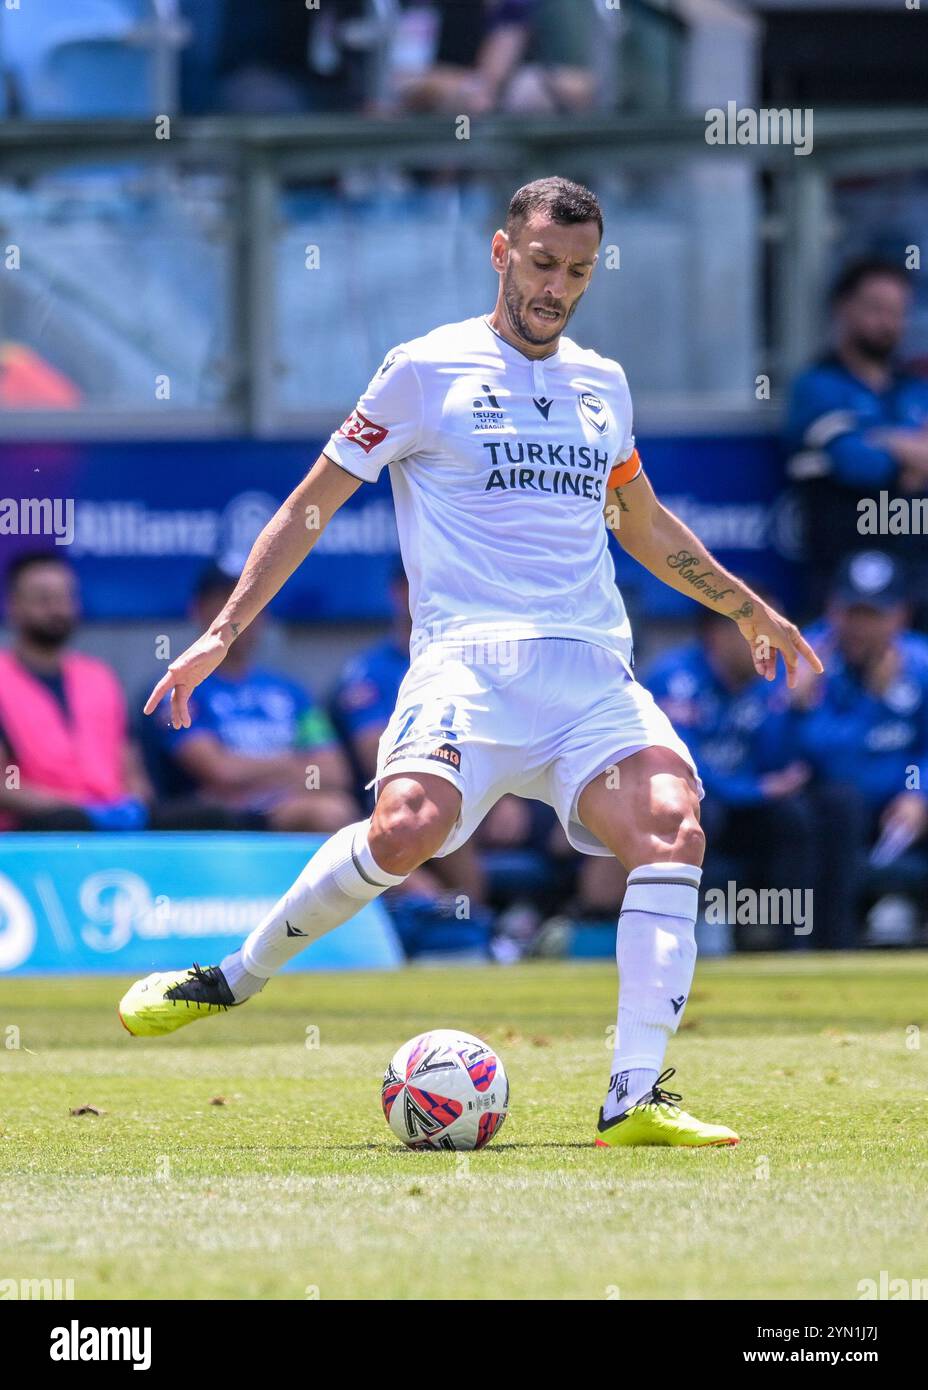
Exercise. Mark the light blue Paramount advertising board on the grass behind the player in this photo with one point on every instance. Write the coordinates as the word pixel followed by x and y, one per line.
pixel 134 904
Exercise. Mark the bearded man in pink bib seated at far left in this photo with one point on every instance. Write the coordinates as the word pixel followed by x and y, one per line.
pixel 66 755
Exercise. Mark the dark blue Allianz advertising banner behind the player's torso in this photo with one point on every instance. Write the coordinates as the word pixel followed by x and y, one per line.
pixel 147 518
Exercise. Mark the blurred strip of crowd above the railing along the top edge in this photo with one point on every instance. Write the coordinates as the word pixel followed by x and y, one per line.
pixel 126 58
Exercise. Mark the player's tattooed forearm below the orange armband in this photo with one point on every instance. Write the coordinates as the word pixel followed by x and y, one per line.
pixel 656 539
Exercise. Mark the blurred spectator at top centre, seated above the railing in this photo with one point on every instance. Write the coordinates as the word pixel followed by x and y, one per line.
pixel 498 55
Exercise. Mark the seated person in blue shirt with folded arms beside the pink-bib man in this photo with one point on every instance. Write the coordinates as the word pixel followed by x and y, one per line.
pixel 258 743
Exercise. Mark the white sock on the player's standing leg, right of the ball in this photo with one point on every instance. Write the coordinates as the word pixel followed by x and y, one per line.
pixel 656 954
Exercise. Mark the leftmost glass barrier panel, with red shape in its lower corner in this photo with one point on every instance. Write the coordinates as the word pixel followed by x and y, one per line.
pixel 116 290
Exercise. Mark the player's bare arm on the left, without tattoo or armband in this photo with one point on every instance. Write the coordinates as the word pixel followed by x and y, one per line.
pixel 280 550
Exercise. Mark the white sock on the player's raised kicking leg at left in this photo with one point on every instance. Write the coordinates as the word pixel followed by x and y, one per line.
pixel 338 881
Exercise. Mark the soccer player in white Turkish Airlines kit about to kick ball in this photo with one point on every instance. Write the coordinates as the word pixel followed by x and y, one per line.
pixel 511 452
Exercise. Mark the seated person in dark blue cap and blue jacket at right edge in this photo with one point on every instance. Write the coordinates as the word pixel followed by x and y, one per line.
pixel 865 729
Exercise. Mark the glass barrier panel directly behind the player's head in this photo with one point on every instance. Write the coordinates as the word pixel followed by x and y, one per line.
pixel 376 262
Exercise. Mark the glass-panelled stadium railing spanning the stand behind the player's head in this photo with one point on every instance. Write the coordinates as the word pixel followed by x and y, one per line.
pixel 241 276
